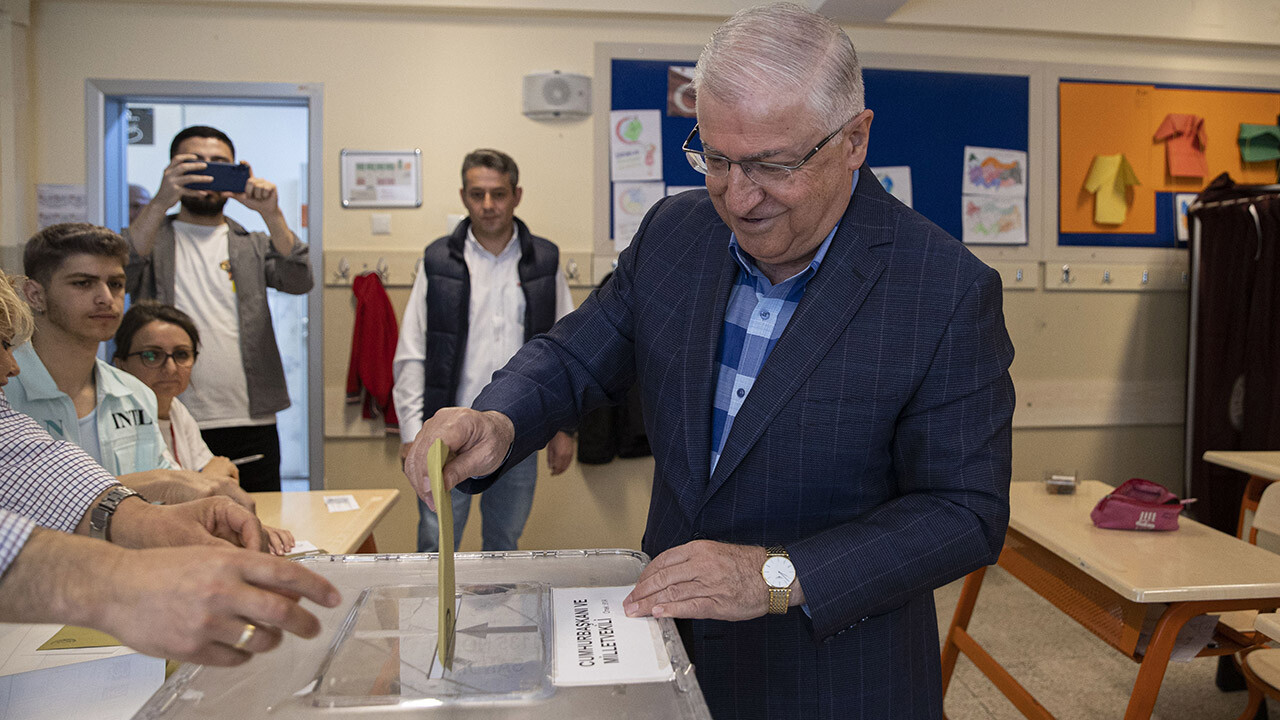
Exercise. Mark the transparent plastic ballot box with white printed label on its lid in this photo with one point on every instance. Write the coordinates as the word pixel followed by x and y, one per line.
pixel 377 653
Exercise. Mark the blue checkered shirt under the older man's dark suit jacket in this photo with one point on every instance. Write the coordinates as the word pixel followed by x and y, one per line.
pixel 757 315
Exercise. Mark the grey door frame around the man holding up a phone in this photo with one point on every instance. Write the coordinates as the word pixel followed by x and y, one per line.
pixel 106 99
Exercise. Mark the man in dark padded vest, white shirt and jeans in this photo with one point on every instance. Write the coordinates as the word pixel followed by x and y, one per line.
pixel 481 294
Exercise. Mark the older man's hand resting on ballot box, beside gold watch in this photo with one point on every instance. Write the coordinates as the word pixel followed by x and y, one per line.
pixel 705 580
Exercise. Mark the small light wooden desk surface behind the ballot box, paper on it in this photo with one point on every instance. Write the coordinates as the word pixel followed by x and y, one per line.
pixel 307 517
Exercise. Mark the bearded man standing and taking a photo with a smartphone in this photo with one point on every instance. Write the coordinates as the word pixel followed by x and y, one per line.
pixel 217 272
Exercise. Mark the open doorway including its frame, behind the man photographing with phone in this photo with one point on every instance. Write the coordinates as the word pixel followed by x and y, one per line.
pixel 277 130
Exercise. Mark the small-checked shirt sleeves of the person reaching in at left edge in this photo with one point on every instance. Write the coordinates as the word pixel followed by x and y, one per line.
pixel 43 482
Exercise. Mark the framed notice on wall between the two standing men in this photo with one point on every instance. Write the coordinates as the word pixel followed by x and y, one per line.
pixel 382 179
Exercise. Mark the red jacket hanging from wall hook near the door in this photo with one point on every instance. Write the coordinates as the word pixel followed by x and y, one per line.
pixel 373 347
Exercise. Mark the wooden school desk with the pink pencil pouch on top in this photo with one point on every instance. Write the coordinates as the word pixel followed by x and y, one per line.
pixel 1109 581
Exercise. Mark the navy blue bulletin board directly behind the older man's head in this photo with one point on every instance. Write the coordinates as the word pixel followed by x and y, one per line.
pixel 924 120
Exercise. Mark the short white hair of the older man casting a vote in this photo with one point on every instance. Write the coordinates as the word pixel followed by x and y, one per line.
pixel 784 49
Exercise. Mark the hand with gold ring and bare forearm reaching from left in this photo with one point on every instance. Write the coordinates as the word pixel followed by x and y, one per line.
pixel 190 604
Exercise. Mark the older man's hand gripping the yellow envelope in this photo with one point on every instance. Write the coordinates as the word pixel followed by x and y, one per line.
pixel 479 443
